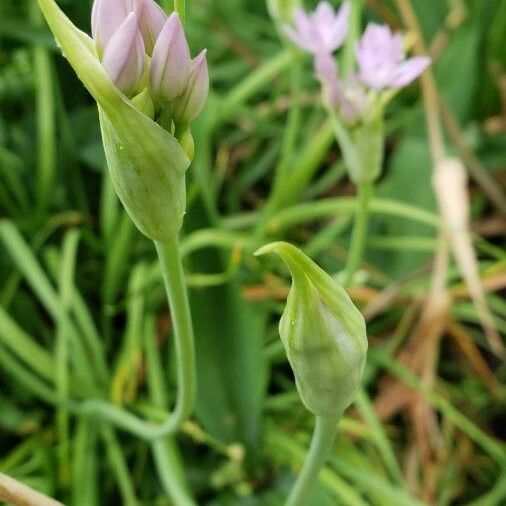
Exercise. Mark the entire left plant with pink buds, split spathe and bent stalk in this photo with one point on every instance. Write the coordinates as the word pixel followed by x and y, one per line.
pixel 148 90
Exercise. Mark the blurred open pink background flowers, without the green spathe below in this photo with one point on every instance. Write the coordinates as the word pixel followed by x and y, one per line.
pixel 380 58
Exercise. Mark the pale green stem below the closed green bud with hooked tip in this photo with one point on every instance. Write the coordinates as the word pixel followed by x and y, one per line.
pixel 321 447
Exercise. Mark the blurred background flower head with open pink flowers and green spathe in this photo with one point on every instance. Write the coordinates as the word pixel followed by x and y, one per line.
pixel 356 101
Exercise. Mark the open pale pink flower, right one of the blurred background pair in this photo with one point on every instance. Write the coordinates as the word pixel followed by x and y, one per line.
pixel 382 62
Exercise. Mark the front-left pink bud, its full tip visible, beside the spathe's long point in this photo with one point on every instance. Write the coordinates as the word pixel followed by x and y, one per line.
pixel 124 56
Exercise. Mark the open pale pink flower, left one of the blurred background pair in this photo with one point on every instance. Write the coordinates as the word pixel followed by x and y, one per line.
pixel 322 31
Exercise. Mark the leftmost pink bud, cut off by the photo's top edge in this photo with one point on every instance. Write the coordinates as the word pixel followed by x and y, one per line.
pixel 106 17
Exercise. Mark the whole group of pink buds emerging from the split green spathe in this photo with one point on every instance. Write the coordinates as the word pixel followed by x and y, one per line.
pixel 141 48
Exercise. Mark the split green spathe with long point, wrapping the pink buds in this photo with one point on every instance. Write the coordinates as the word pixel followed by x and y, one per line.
pixel 147 164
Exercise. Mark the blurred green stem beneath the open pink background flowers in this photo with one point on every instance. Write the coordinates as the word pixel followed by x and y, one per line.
pixel 358 239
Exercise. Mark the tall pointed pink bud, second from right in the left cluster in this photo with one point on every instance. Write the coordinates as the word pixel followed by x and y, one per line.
pixel 171 61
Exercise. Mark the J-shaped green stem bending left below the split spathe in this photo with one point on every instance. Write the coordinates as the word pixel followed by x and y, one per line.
pixel 173 276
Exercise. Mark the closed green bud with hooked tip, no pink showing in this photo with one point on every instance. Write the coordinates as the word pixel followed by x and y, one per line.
pixel 323 333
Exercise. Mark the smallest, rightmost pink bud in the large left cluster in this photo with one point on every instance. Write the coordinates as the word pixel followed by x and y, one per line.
pixel 190 105
